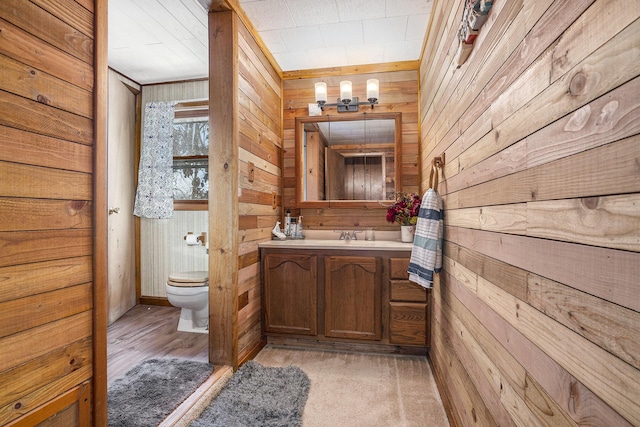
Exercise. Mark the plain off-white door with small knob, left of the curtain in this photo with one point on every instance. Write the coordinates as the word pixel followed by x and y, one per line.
pixel 121 270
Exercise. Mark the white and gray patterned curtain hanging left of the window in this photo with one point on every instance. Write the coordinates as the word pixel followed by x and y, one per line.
pixel 154 196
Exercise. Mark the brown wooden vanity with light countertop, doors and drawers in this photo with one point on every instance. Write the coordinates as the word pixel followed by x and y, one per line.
pixel 334 294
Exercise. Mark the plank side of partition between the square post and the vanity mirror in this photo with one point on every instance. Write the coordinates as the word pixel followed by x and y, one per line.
pixel 260 201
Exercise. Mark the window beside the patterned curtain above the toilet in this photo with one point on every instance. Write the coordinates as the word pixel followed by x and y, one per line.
pixel 190 160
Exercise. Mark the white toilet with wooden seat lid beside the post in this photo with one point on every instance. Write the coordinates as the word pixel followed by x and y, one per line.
pixel 189 290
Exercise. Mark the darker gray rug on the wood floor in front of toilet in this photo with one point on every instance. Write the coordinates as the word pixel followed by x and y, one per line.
pixel 149 392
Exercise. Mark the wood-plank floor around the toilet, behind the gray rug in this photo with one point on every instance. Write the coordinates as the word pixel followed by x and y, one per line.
pixel 148 331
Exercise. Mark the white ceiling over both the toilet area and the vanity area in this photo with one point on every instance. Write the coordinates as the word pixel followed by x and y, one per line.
pixel 153 41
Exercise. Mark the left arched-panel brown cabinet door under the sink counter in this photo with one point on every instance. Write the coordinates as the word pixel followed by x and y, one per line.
pixel 291 293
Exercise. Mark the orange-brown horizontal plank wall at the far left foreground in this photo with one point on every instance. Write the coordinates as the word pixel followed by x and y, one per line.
pixel 46 209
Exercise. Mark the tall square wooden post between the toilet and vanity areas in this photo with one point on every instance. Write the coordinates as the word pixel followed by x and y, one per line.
pixel 223 191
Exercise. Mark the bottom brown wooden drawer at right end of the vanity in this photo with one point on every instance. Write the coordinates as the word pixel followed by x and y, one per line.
pixel 408 323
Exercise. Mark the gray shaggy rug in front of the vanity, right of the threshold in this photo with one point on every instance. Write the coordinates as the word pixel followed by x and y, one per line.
pixel 259 396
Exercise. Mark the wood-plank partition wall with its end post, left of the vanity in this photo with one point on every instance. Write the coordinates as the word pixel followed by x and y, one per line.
pixel 245 167
